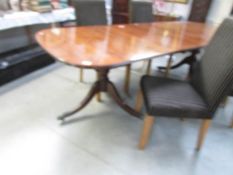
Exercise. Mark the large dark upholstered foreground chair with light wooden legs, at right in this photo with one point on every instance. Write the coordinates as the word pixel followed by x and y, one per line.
pixel 198 98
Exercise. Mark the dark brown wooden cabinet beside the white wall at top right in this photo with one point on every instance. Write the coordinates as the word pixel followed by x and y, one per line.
pixel 199 10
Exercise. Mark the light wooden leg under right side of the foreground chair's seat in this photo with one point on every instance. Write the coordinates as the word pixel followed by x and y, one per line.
pixel 202 132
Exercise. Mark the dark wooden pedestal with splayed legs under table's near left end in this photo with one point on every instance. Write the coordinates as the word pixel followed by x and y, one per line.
pixel 103 84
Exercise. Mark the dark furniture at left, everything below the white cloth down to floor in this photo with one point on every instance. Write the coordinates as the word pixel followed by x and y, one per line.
pixel 19 55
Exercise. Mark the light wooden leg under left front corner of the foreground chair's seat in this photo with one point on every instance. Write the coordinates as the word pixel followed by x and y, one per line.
pixel 146 131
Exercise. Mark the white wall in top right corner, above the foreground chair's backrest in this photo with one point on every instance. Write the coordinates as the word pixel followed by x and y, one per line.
pixel 219 10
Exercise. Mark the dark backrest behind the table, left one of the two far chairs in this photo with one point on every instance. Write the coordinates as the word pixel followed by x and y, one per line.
pixel 90 12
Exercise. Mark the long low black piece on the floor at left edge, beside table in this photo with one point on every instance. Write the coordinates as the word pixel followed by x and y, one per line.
pixel 19 62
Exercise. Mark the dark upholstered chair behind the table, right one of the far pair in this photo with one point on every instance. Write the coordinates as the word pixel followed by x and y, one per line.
pixel 140 12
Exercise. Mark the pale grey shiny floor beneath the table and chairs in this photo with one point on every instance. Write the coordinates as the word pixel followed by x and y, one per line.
pixel 102 139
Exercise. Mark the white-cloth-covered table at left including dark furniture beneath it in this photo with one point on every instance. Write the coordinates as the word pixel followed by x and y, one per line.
pixel 19 53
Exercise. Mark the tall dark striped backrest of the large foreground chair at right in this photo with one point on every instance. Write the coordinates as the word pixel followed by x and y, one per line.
pixel 213 74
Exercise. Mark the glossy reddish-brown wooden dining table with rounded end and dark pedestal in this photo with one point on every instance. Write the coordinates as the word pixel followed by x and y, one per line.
pixel 105 47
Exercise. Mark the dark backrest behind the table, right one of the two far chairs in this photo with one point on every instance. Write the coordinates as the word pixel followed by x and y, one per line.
pixel 141 11
